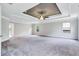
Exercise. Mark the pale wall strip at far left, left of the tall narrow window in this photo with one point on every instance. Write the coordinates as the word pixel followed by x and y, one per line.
pixel 5 29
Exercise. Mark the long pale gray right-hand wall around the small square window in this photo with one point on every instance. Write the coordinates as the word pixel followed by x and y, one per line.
pixel 55 29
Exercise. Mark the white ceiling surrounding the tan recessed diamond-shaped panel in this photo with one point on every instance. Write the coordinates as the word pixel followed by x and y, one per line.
pixel 14 11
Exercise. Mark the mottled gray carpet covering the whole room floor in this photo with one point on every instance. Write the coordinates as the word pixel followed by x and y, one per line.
pixel 40 46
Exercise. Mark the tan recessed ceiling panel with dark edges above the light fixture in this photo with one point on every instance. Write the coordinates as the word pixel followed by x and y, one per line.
pixel 43 9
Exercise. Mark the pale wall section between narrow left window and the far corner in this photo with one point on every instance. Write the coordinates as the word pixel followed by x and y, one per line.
pixel 22 29
